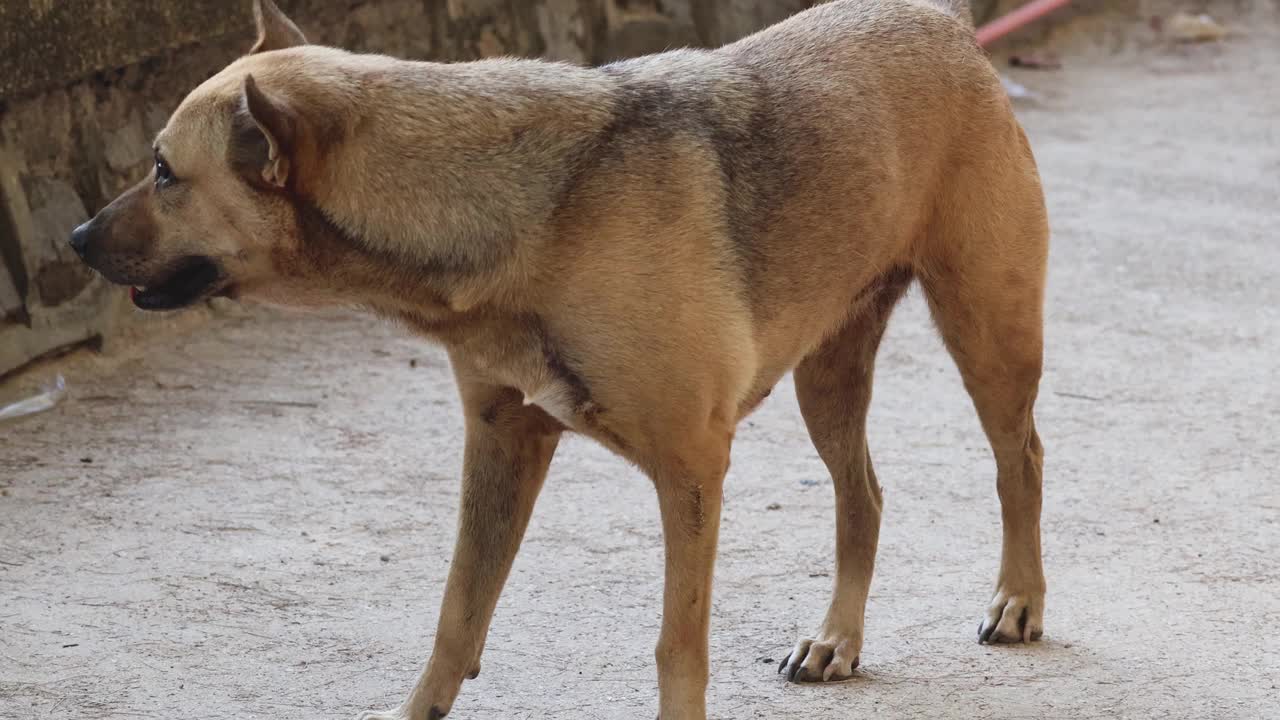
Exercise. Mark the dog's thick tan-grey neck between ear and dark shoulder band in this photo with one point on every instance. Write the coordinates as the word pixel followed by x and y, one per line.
pixel 449 179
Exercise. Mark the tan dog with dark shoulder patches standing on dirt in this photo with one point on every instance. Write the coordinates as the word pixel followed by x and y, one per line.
pixel 637 253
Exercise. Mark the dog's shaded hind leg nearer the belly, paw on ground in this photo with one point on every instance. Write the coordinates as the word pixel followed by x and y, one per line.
pixel 834 386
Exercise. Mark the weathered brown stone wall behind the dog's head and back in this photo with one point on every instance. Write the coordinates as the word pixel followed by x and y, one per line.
pixel 85 85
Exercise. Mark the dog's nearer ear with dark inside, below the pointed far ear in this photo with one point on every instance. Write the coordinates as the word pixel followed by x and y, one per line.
pixel 264 138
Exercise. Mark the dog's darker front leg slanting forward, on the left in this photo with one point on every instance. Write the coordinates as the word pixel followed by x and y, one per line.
pixel 509 448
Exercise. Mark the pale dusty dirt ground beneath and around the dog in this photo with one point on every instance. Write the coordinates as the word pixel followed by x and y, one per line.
pixel 254 518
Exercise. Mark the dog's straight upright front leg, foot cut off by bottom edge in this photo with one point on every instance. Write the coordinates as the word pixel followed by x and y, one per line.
pixel 689 498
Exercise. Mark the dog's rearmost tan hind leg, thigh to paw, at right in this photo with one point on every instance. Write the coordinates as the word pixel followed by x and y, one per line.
pixel 984 275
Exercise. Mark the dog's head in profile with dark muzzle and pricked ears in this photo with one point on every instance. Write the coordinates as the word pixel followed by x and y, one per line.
pixel 217 216
